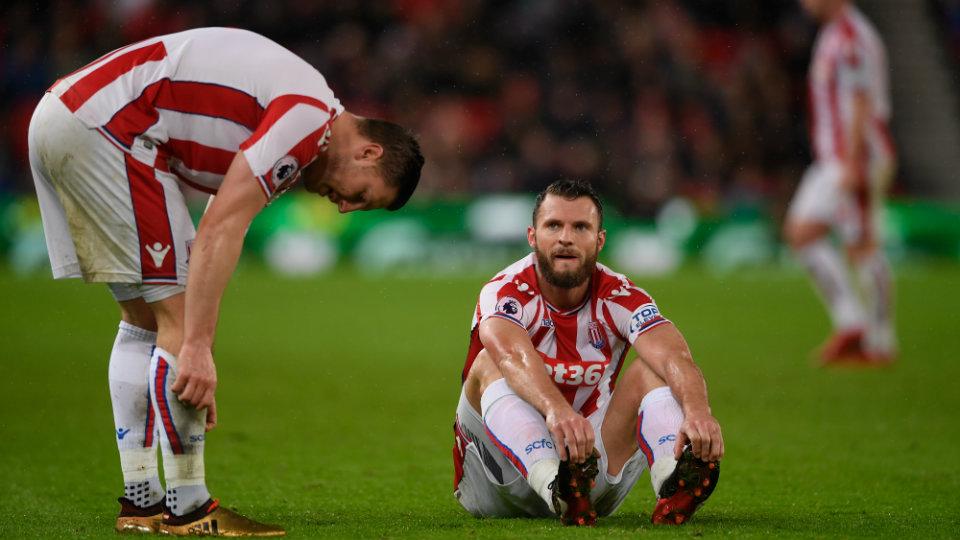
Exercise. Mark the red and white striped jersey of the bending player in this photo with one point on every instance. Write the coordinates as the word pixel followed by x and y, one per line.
pixel 187 102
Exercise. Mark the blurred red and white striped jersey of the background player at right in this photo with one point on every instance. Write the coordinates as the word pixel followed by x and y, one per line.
pixel 849 57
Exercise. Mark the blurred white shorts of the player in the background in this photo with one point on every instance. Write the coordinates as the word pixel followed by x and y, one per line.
pixel 820 198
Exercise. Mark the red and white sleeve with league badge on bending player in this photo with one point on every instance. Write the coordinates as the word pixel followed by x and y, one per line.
pixel 293 130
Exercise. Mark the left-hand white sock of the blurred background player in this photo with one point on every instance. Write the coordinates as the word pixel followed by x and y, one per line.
pixel 830 277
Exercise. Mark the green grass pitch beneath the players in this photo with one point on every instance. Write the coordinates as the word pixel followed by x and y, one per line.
pixel 336 400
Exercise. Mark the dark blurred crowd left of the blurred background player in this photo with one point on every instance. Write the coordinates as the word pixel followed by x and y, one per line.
pixel 649 99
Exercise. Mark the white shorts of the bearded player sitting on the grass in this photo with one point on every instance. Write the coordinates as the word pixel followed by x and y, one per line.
pixel 489 485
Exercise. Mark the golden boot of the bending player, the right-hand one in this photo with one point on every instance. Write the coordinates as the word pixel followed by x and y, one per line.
pixel 211 519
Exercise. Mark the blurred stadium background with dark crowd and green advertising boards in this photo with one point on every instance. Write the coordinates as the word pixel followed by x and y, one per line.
pixel 689 115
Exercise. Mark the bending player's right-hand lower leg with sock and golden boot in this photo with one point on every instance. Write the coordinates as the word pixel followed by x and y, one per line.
pixel 190 510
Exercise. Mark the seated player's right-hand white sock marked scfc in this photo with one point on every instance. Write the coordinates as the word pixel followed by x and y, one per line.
pixel 657 431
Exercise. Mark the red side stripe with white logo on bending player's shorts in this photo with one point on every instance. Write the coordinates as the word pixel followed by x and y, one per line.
pixel 153 223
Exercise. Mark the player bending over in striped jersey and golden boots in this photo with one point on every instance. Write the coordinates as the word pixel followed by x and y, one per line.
pixel 226 111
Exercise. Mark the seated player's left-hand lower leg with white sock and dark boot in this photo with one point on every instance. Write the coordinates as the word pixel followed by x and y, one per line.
pixel 515 424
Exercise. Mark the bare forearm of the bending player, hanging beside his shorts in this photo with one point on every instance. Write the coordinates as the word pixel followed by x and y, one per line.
pixel 214 257
